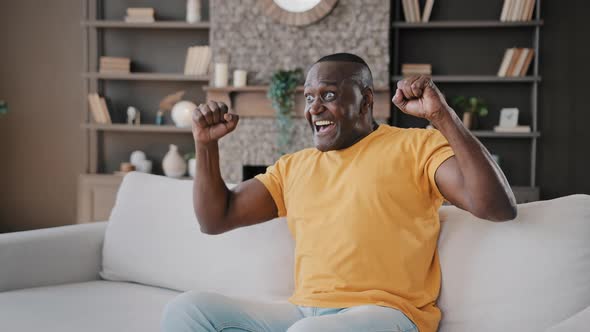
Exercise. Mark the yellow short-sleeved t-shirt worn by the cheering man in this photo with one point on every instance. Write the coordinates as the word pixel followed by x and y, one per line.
pixel 365 222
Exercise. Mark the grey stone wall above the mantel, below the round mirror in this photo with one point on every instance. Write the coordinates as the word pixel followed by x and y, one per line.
pixel 260 45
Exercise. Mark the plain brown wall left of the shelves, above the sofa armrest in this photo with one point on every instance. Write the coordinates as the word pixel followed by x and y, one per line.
pixel 40 139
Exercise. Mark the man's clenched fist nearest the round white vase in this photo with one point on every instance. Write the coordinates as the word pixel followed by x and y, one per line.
pixel 212 121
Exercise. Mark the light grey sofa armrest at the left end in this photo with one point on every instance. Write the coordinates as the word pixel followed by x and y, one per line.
pixel 51 256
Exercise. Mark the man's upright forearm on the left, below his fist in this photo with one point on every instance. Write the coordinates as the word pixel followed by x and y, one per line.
pixel 210 194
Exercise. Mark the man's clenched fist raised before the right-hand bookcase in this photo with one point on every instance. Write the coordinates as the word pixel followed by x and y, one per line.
pixel 418 96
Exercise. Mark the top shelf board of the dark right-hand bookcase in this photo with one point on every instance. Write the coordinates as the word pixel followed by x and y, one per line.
pixel 465 24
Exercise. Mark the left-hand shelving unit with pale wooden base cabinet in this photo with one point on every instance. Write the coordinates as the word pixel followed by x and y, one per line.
pixel 157 51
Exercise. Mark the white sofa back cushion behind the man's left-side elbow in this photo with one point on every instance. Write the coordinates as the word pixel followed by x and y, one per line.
pixel 153 238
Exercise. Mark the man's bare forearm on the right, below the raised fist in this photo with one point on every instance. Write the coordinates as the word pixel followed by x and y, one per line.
pixel 489 193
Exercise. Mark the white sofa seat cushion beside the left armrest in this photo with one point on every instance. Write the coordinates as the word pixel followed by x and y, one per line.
pixel 90 306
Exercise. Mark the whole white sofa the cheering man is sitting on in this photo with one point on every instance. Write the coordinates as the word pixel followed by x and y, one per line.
pixel 531 274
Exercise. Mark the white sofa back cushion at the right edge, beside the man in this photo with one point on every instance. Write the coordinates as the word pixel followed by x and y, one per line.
pixel 523 275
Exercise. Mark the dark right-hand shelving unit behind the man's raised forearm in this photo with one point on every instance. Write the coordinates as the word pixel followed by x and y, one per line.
pixel 465 42
